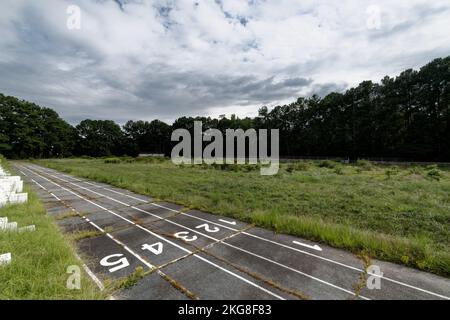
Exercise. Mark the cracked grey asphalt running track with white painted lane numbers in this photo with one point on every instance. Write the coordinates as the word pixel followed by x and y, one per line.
pixel 190 254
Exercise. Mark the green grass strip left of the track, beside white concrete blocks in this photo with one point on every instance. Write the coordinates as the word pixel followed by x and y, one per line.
pixel 39 259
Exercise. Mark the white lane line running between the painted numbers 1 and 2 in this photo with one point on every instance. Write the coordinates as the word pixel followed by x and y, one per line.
pixel 292 248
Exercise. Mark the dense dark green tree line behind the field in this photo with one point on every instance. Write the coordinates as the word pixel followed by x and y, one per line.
pixel 404 117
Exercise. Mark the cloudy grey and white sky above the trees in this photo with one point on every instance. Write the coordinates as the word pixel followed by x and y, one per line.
pixel 147 59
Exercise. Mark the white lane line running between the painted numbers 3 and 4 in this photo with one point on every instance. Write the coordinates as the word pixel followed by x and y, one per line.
pixel 170 242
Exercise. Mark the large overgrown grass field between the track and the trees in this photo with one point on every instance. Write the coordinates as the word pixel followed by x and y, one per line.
pixel 395 213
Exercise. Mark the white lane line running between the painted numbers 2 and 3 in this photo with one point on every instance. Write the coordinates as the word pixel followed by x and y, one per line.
pixel 225 243
